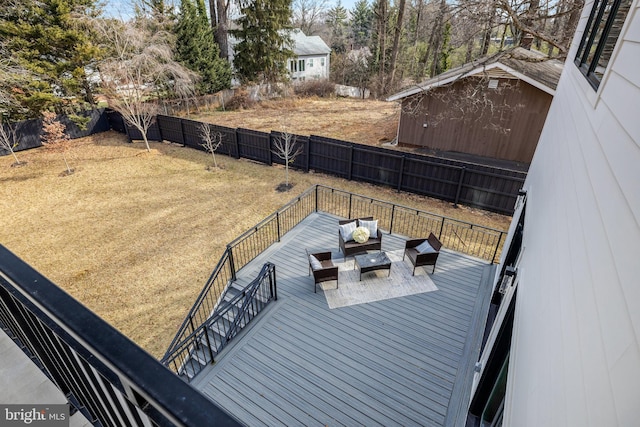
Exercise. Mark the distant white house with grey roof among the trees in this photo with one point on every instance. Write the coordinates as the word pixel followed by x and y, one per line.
pixel 312 57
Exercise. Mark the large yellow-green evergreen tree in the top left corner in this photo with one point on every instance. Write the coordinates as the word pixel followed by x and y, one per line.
pixel 54 48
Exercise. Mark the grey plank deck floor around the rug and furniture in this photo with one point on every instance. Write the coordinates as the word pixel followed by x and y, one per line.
pixel 402 361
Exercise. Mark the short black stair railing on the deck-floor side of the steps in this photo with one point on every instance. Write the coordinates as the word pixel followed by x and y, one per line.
pixel 195 351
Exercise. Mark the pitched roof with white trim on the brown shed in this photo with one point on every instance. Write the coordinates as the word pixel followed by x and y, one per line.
pixel 530 66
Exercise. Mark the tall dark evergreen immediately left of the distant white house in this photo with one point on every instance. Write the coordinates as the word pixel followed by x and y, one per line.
pixel 263 45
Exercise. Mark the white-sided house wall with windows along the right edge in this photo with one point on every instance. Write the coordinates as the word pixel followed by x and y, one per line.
pixel 563 345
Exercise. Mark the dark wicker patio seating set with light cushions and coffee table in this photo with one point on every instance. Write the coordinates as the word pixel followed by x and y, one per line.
pixel 359 236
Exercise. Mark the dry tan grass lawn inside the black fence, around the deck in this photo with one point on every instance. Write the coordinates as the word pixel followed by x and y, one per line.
pixel 134 235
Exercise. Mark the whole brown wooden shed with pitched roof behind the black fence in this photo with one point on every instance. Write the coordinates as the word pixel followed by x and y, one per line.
pixel 493 107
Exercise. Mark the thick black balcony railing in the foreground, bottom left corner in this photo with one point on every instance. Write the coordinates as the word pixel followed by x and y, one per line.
pixel 111 380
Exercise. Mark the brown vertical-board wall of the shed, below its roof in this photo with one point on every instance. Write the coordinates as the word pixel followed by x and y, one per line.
pixel 510 132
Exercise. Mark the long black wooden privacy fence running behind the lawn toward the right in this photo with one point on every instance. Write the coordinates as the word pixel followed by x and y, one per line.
pixel 470 184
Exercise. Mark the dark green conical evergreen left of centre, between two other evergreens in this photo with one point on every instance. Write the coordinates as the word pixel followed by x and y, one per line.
pixel 196 49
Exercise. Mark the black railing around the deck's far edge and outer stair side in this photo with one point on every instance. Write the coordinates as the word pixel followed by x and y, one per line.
pixel 467 238
